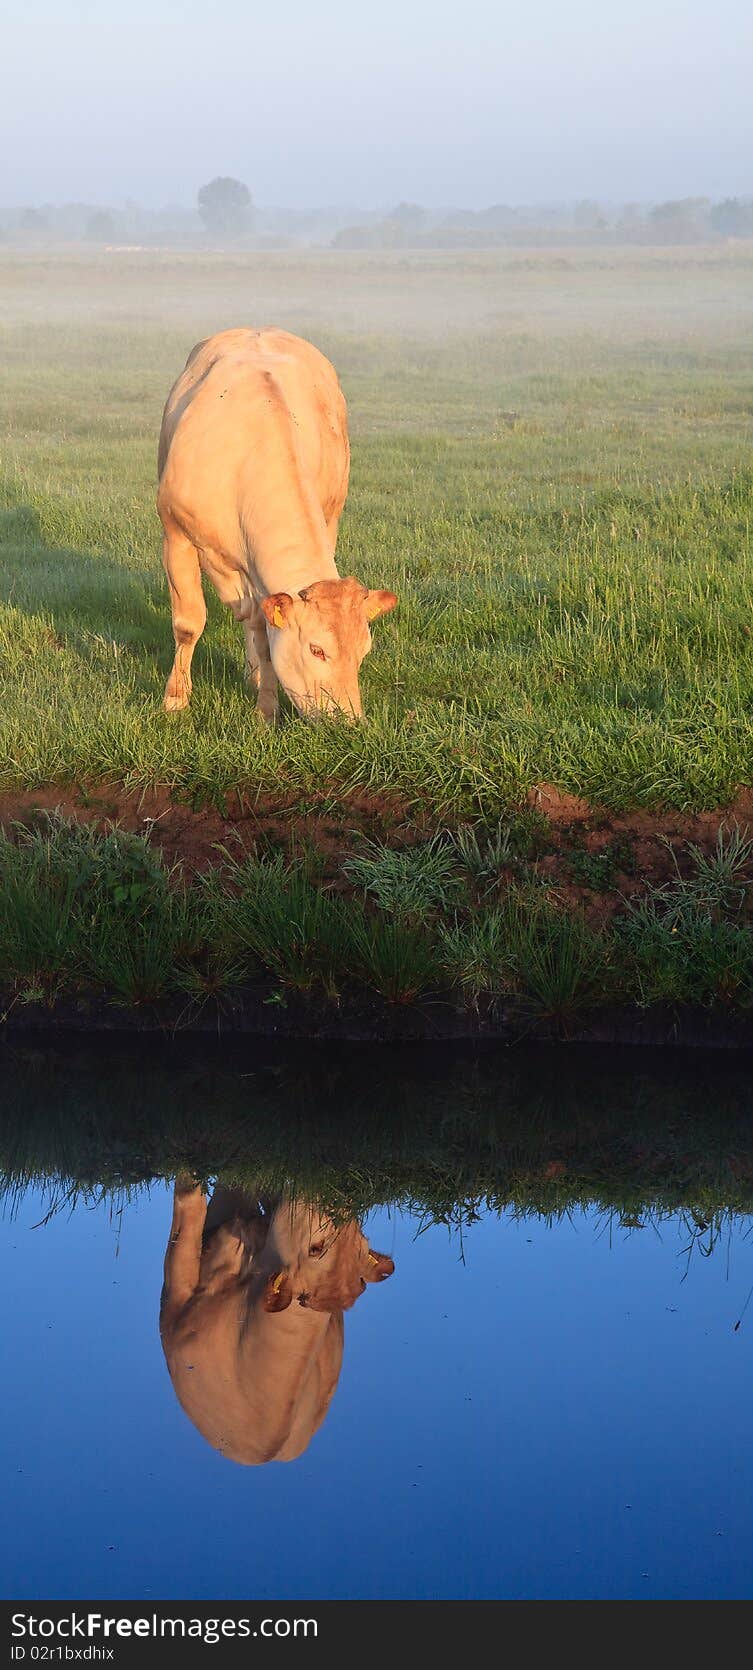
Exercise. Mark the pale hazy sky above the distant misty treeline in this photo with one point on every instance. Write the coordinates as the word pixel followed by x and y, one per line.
pixel 330 103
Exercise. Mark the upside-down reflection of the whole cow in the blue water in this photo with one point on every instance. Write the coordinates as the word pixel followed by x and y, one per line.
pixel 251 1317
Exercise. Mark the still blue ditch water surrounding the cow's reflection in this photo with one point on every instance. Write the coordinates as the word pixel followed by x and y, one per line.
pixel 535 1405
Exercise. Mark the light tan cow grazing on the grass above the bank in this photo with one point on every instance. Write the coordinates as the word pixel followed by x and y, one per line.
pixel 253 467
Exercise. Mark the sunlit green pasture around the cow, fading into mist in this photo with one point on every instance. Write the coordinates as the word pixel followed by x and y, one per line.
pixel 552 468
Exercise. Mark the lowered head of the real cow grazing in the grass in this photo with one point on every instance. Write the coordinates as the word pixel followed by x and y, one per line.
pixel 318 640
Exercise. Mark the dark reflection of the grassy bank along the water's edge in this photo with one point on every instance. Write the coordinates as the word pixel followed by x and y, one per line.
pixel 361 1128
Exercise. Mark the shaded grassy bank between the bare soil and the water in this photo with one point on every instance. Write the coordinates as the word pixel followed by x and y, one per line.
pixel 472 921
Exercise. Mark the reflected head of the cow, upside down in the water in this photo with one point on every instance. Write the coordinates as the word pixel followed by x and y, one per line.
pixel 330 1272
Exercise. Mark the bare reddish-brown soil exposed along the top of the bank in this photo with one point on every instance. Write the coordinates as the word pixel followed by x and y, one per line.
pixel 632 849
